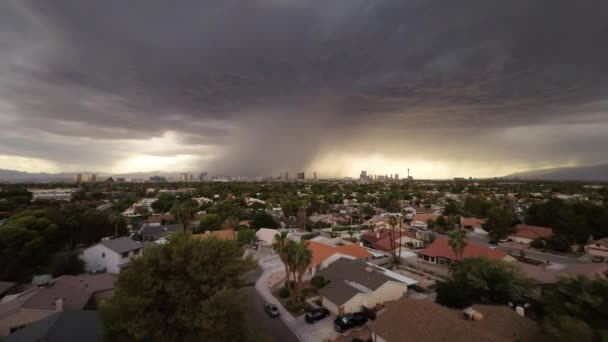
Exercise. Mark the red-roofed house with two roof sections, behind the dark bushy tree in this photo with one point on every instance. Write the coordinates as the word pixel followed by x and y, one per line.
pixel 439 252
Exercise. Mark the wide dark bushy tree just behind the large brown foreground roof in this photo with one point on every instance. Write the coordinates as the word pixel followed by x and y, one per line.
pixel 483 280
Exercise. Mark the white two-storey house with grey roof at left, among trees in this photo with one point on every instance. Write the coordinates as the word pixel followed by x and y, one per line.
pixel 111 255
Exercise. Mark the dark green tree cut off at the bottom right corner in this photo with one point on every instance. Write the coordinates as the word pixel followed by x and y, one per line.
pixel 576 307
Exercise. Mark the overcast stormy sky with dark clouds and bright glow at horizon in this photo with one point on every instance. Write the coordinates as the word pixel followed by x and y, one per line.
pixel 257 87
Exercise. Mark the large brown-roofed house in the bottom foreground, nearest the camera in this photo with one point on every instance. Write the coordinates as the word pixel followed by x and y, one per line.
pixel 422 320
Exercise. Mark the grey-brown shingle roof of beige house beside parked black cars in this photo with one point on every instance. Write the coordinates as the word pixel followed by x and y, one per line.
pixel 348 278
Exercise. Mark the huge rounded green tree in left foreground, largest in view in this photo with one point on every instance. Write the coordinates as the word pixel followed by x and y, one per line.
pixel 186 290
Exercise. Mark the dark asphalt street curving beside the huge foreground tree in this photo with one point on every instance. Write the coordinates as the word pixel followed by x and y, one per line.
pixel 272 327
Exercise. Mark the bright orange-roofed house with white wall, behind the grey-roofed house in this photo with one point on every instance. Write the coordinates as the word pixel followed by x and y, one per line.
pixel 323 255
